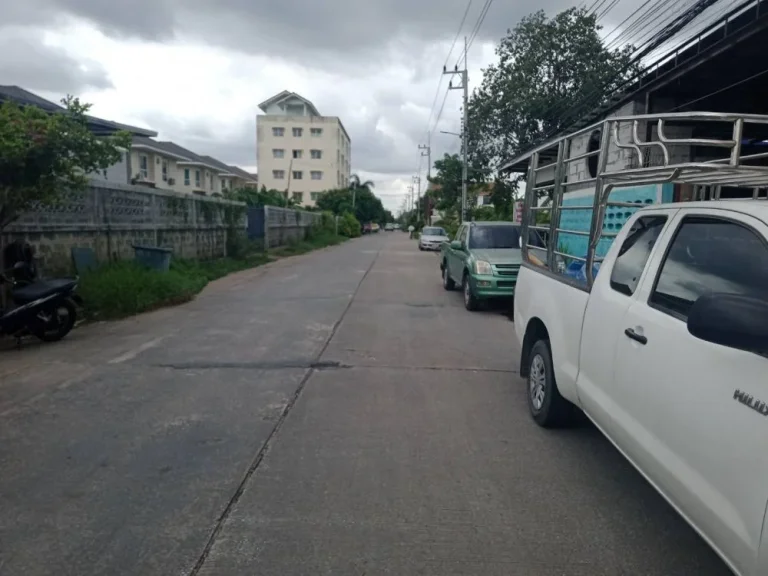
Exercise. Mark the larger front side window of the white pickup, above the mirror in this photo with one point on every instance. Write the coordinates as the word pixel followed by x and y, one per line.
pixel 710 255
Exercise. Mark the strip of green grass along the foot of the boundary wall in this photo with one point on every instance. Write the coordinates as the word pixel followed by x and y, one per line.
pixel 125 288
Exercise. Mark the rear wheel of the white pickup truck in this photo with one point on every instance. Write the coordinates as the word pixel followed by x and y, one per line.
pixel 548 408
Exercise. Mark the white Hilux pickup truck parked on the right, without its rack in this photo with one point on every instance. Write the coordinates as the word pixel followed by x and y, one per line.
pixel 668 355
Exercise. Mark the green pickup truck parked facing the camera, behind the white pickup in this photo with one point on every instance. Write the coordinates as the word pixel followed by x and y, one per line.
pixel 484 258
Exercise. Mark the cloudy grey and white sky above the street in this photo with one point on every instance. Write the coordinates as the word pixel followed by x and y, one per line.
pixel 195 70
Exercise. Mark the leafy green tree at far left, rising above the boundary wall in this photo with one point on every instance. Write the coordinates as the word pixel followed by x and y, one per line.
pixel 44 155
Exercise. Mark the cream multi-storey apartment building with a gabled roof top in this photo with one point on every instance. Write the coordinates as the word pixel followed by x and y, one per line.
pixel 299 151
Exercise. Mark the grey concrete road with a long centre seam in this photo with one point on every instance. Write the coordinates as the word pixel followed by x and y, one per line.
pixel 335 413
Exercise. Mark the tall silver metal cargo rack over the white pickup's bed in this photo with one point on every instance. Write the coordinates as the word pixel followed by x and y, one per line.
pixel 649 160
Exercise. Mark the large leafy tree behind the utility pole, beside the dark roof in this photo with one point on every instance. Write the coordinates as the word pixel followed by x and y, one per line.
pixel 549 73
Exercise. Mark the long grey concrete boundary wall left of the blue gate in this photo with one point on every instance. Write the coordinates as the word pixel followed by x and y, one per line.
pixel 111 217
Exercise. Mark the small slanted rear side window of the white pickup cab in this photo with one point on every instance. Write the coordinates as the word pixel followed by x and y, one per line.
pixel 634 253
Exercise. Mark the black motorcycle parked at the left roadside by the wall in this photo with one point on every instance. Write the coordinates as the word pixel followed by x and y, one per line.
pixel 46 309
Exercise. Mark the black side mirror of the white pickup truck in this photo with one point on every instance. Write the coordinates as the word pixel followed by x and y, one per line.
pixel 732 320
